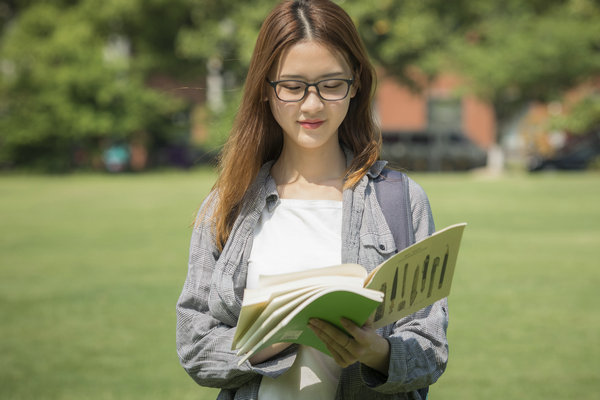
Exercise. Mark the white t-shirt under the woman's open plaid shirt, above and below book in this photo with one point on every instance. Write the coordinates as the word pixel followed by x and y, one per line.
pixel 298 235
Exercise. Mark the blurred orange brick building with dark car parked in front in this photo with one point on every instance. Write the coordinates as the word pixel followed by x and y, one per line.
pixel 434 128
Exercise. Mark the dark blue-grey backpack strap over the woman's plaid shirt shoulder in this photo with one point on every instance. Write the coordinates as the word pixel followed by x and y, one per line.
pixel 391 189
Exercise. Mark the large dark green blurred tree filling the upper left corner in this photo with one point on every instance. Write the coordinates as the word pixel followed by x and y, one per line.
pixel 74 73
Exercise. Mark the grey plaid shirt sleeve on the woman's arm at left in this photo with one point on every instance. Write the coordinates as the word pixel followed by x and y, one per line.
pixel 203 340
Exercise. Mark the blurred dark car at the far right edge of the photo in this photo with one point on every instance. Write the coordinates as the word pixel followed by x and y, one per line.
pixel 578 153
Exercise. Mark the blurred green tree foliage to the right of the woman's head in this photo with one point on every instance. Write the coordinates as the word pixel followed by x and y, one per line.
pixel 510 53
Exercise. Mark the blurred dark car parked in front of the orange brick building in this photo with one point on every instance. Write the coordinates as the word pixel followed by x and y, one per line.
pixel 426 151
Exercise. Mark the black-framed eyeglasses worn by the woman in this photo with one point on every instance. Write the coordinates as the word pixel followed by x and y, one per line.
pixel 327 89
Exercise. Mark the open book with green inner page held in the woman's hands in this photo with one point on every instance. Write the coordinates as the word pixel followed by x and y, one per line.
pixel 279 309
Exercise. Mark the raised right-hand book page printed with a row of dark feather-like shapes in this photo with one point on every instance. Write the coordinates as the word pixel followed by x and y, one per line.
pixel 417 276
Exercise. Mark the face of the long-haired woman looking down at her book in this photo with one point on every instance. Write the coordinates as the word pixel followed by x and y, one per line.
pixel 311 123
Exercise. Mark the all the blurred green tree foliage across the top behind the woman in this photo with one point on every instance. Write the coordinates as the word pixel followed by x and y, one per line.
pixel 64 79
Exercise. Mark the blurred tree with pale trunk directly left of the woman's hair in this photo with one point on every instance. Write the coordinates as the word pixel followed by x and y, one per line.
pixel 221 38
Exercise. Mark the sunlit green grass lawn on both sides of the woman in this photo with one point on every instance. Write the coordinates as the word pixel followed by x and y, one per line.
pixel 91 267
